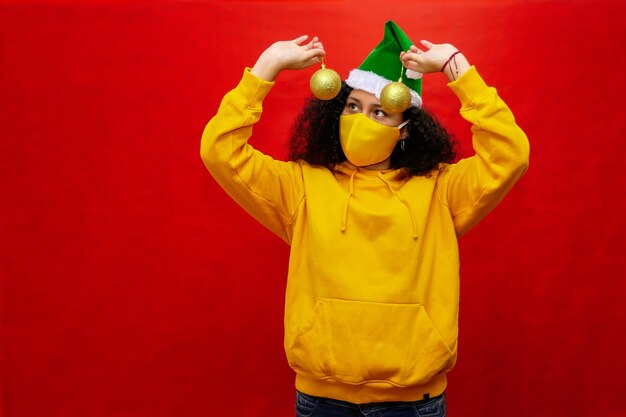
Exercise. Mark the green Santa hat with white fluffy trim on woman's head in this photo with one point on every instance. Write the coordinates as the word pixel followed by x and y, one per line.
pixel 383 66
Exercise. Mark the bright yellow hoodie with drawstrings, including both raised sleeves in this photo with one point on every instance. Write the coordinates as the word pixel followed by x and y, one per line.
pixel 371 308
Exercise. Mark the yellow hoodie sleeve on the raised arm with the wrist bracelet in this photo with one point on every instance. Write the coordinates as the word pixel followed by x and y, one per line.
pixel 472 187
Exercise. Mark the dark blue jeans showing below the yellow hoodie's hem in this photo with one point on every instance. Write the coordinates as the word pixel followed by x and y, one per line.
pixel 309 406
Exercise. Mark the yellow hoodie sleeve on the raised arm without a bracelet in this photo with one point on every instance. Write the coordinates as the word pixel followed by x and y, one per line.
pixel 268 189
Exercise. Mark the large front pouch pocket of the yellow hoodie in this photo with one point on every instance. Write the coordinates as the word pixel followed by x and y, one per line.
pixel 357 342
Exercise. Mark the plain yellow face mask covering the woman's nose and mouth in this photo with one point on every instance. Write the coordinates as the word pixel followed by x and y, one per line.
pixel 366 142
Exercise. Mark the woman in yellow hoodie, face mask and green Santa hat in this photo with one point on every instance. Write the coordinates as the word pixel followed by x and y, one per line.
pixel 372 208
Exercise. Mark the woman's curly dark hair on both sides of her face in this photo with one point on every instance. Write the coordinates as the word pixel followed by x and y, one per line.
pixel 315 138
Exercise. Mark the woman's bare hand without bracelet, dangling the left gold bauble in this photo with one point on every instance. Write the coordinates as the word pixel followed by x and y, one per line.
pixel 284 55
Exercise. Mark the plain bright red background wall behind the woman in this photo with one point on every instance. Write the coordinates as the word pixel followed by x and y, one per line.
pixel 132 286
